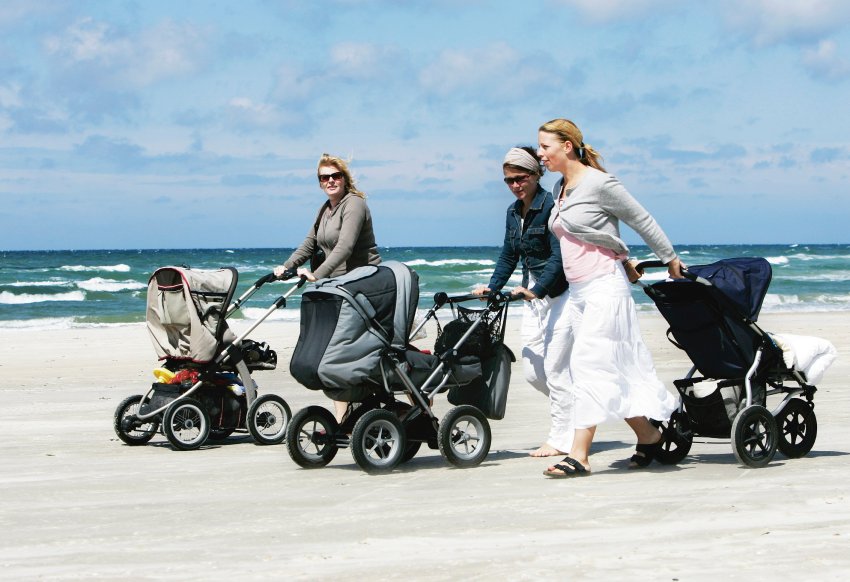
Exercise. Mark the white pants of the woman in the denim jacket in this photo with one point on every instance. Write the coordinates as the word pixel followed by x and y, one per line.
pixel 545 361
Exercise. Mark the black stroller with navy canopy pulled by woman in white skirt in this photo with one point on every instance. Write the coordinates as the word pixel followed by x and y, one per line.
pixel 712 315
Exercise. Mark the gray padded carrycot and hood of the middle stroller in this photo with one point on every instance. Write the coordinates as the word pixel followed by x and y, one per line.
pixel 347 321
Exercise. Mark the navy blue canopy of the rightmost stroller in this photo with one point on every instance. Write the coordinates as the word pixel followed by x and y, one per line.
pixel 744 281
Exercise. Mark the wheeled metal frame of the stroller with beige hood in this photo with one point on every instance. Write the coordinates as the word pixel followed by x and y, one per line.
pixel 174 410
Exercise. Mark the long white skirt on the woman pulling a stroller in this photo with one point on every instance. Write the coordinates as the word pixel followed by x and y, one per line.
pixel 611 373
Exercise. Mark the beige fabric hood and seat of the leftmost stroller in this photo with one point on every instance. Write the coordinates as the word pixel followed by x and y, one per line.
pixel 185 311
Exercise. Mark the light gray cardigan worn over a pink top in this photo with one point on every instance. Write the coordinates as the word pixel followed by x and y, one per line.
pixel 595 208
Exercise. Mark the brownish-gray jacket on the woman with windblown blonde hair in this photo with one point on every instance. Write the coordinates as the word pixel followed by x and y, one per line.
pixel 346 237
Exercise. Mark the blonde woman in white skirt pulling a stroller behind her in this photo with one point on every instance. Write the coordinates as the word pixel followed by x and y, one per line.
pixel 610 371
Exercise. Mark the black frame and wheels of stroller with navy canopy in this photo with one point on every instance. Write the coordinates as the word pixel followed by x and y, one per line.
pixel 756 432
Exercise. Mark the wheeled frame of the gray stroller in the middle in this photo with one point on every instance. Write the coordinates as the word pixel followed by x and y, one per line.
pixel 383 431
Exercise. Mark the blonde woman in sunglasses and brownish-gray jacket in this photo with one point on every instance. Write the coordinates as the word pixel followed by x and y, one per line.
pixel 342 231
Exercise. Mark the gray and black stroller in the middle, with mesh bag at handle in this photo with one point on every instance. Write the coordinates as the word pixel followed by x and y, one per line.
pixel 354 345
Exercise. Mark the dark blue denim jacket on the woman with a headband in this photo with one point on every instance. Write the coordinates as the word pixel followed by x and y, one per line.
pixel 531 243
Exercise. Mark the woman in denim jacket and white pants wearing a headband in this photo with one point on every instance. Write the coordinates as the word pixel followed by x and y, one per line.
pixel 529 243
